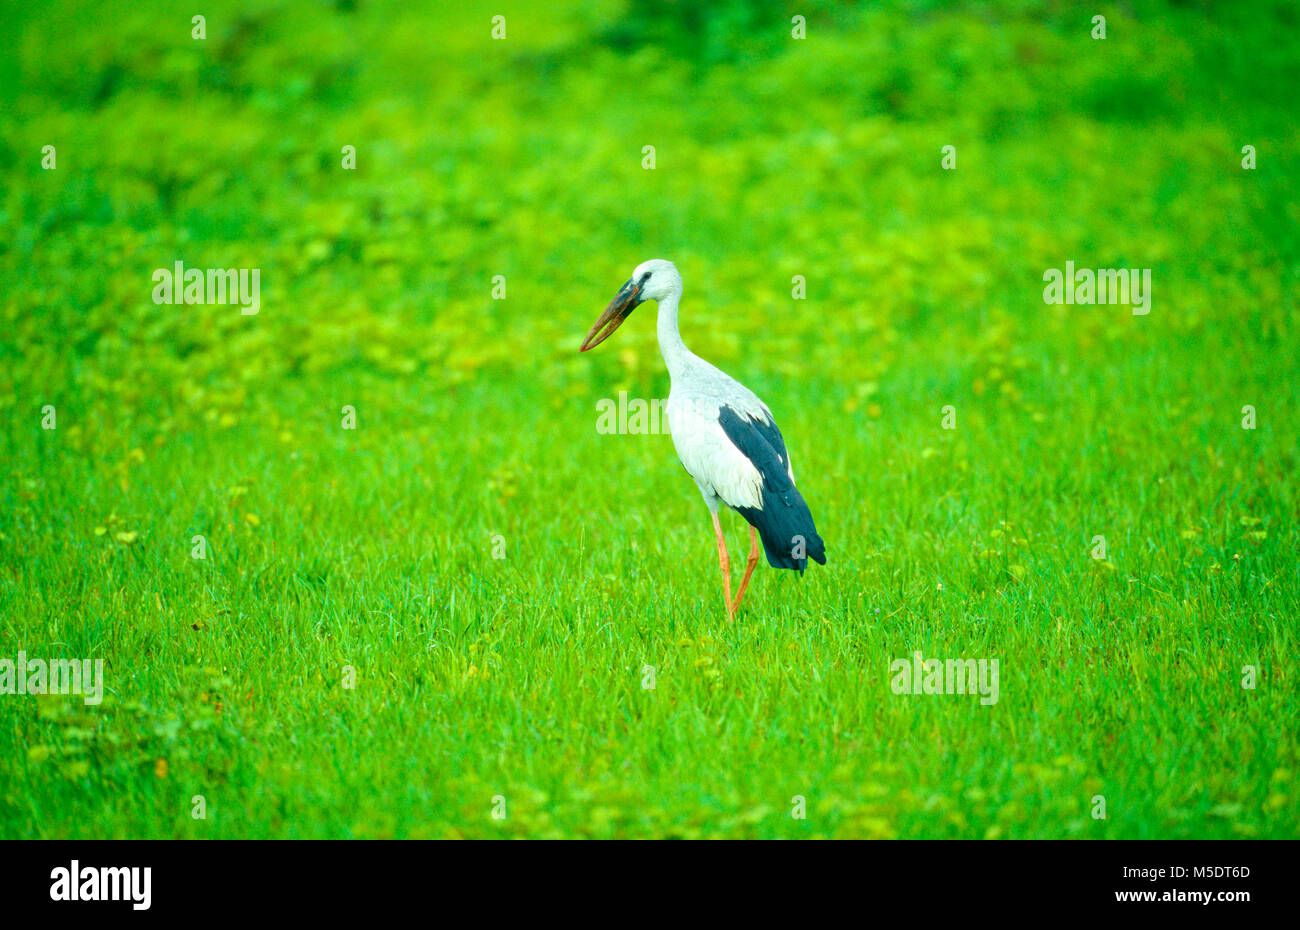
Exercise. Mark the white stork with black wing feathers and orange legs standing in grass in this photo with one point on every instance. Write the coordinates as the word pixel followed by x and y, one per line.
pixel 726 438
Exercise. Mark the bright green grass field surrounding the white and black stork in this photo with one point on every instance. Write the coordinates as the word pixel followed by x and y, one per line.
pixel 448 613
